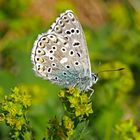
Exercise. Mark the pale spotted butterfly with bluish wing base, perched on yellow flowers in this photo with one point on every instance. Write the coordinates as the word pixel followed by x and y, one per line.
pixel 60 55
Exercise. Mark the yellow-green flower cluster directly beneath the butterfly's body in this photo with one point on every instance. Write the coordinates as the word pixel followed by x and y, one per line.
pixel 76 102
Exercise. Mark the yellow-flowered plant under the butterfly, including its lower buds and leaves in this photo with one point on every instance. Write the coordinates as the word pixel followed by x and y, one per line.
pixel 77 107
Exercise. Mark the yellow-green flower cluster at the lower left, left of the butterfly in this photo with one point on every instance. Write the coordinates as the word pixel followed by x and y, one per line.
pixel 13 110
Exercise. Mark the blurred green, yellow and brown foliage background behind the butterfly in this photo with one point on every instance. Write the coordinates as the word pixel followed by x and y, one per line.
pixel 112 30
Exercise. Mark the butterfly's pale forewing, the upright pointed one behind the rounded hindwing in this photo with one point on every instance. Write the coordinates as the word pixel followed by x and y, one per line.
pixel 70 29
